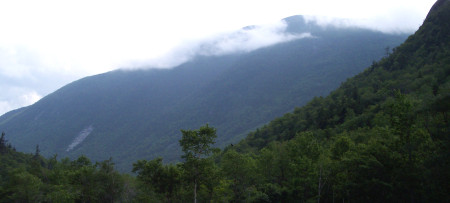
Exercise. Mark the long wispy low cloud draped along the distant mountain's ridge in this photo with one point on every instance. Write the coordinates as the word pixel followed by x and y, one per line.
pixel 244 40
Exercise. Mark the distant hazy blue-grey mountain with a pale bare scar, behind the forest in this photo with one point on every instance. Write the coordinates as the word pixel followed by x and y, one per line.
pixel 130 115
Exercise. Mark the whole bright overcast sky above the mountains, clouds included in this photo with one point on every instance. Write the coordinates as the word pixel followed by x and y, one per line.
pixel 47 44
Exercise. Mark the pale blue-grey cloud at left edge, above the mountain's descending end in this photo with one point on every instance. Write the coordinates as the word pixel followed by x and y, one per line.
pixel 24 78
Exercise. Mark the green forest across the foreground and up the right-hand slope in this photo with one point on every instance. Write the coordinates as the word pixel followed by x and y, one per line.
pixel 382 136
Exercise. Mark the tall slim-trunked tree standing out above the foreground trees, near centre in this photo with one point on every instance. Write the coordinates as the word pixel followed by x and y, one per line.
pixel 196 145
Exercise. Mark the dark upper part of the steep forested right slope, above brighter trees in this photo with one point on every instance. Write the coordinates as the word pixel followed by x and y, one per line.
pixel 420 66
